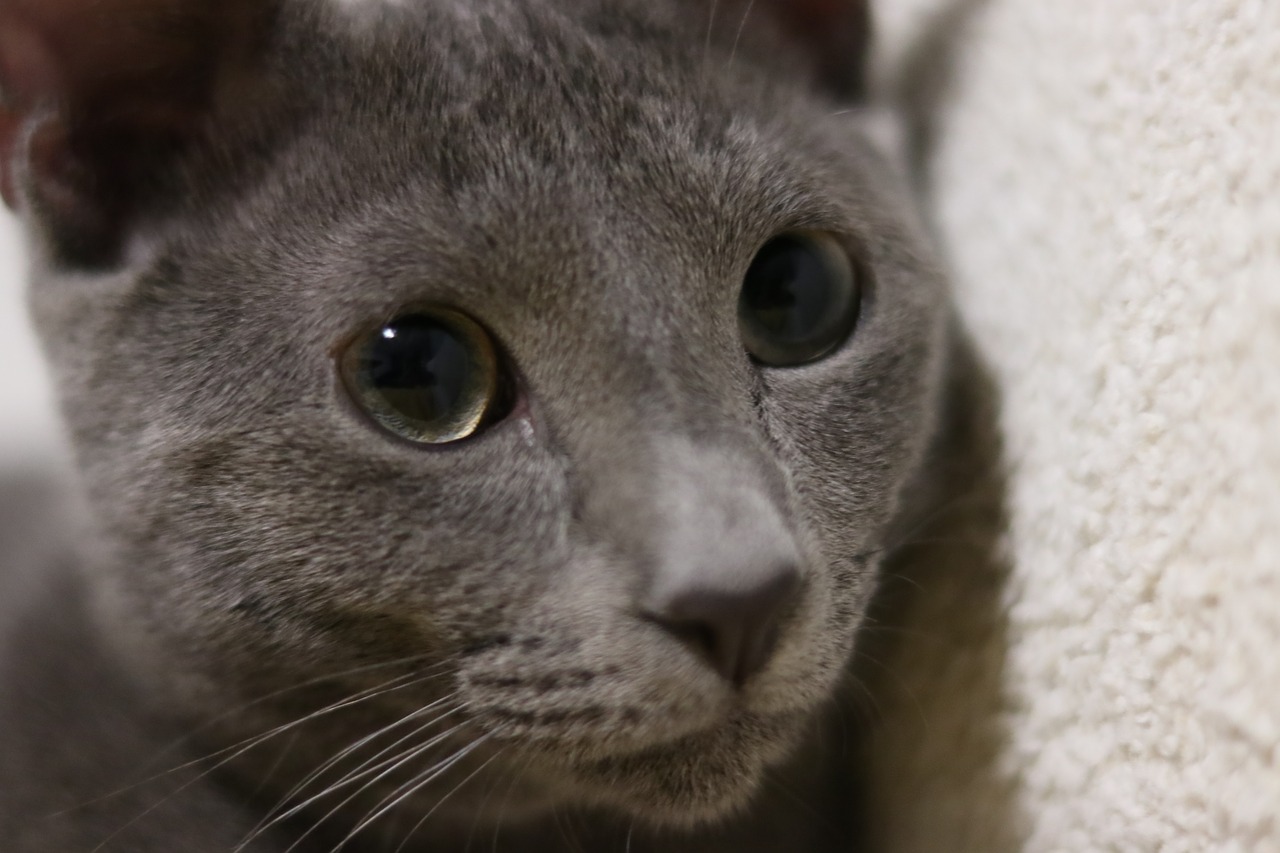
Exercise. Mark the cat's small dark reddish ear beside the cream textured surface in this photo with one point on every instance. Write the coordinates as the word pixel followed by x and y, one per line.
pixel 835 34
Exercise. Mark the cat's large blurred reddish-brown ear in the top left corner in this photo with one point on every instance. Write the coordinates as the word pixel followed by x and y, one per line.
pixel 97 97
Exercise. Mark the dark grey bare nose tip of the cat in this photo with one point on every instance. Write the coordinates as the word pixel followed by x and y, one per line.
pixel 734 628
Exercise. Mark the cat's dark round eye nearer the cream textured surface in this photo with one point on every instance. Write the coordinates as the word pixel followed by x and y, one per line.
pixel 801 299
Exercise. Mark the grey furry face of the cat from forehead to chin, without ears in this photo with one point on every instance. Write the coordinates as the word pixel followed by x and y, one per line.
pixel 642 568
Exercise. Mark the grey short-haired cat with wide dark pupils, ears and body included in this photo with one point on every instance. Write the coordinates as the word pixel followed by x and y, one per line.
pixel 490 419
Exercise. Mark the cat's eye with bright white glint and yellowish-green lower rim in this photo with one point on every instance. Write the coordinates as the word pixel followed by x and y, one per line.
pixel 431 376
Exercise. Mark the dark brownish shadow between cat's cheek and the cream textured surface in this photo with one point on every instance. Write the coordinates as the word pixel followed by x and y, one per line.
pixel 929 679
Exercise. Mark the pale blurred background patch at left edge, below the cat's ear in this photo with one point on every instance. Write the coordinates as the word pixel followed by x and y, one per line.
pixel 29 428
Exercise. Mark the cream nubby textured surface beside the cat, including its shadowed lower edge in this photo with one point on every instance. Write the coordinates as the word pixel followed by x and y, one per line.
pixel 1107 179
